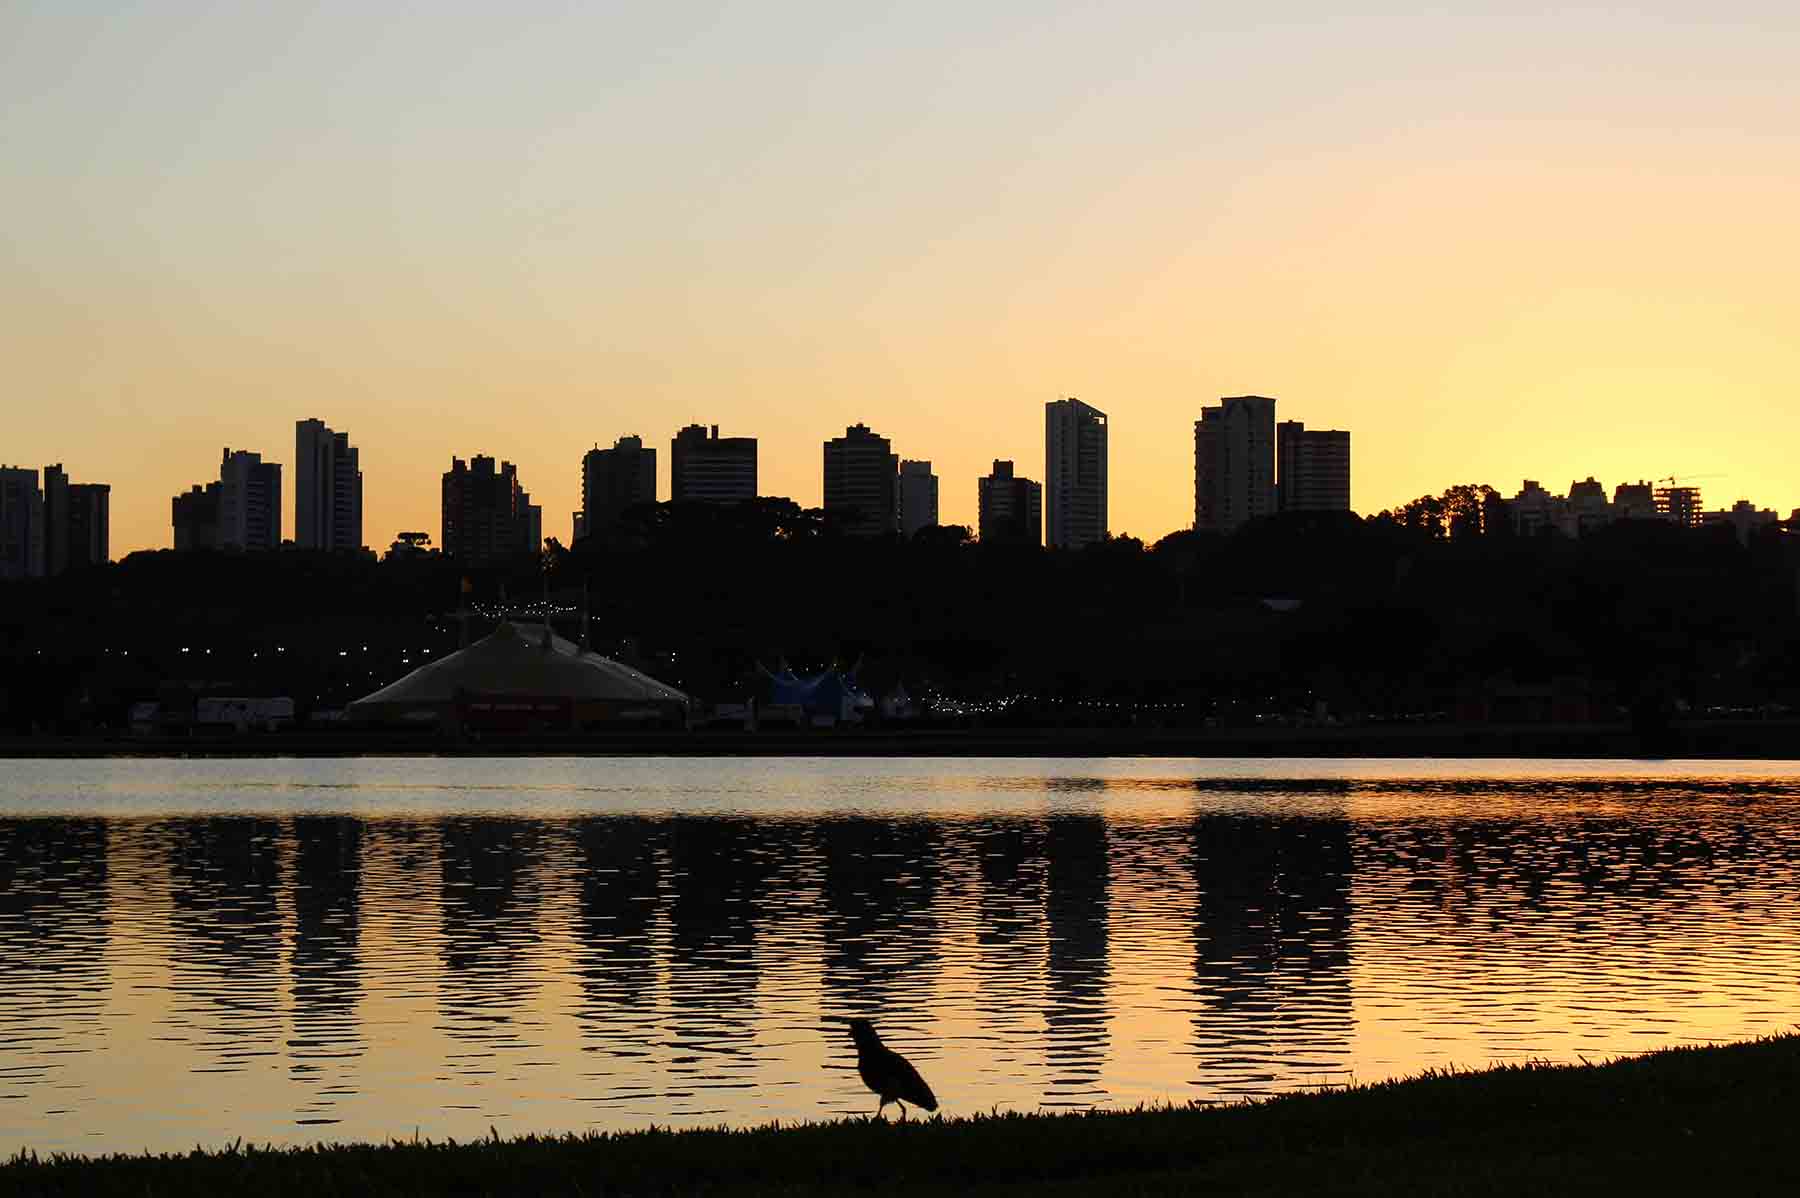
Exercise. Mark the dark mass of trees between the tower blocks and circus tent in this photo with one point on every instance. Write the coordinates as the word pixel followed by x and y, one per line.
pixel 1387 618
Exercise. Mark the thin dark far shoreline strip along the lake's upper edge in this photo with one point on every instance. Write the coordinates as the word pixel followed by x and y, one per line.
pixel 1750 740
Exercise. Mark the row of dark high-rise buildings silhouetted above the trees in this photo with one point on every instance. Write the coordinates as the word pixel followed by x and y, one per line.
pixel 1315 476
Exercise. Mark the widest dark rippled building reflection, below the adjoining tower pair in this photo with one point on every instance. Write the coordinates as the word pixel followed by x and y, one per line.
pixel 1272 951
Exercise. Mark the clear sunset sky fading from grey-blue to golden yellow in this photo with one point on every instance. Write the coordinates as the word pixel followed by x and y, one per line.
pixel 1493 244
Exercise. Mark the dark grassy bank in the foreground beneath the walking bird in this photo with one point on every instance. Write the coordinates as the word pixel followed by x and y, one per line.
pixel 1678 1122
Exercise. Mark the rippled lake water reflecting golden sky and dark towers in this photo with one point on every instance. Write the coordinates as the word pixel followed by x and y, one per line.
pixel 368 949
